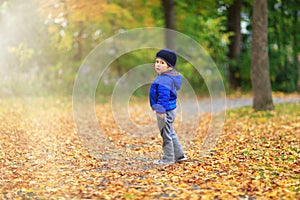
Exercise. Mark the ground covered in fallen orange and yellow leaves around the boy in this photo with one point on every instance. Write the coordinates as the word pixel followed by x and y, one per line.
pixel 42 156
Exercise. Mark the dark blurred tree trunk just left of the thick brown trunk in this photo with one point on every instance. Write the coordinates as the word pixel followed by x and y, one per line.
pixel 234 26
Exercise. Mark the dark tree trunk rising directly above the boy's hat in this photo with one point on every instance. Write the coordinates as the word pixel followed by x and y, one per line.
pixel 169 15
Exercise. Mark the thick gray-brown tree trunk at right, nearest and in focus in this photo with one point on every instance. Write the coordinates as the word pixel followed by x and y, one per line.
pixel 260 75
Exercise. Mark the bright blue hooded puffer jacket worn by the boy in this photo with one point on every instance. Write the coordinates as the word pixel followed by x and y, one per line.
pixel 163 93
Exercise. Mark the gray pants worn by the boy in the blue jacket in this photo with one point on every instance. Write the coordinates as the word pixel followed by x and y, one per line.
pixel 171 147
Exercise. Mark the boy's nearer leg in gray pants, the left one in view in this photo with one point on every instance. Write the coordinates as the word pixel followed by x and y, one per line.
pixel 166 134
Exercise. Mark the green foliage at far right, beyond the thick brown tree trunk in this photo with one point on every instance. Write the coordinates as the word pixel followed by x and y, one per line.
pixel 283 37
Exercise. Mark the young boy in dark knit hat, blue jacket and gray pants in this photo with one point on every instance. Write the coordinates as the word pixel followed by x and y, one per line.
pixel 163 97
